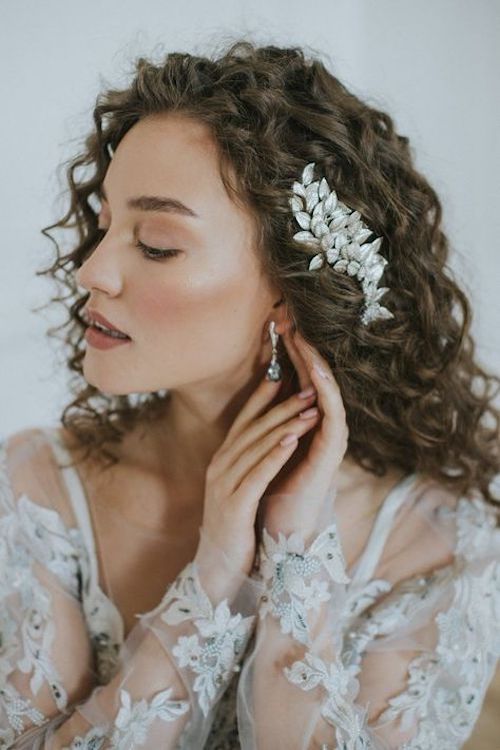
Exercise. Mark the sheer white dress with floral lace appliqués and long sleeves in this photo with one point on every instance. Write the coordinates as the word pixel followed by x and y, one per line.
pixel 395 651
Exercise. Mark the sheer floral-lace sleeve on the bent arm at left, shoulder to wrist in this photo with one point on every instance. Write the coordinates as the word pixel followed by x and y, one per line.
pixel 174 666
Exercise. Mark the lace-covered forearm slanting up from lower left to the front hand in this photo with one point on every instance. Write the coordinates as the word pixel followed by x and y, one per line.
pixel 176 664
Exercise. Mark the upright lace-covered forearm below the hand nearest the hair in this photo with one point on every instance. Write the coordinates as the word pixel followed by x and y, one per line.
pixel 295 622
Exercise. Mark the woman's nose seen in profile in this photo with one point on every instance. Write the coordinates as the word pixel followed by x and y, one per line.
pixel 102 269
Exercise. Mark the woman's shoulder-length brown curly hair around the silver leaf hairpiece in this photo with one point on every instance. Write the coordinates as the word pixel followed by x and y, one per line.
pixel 414 394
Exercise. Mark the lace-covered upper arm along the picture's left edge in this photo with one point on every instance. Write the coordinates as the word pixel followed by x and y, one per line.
pixel 38 587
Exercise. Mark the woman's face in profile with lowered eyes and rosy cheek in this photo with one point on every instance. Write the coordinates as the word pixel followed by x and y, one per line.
pixel 198 316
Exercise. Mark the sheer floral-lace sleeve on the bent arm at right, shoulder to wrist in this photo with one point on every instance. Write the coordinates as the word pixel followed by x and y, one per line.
pixel 377 664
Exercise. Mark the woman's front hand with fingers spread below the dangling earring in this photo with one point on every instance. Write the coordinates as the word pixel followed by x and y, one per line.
pixel 239 473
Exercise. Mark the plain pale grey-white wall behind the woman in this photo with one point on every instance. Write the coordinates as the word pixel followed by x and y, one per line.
pixel 434 65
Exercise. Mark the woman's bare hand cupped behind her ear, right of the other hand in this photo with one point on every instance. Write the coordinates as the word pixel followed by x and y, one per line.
pixel 295 502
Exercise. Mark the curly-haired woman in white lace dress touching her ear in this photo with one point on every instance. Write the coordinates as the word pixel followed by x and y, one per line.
pixel 294 541
